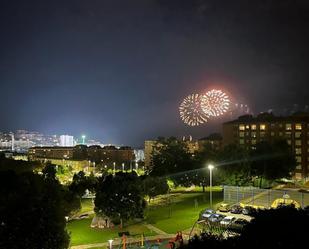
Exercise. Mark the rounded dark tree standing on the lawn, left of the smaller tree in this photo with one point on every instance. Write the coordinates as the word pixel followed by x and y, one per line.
pixel 120 197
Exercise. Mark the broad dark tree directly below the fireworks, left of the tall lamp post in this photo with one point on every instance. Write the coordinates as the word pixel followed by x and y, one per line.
pixel 170 156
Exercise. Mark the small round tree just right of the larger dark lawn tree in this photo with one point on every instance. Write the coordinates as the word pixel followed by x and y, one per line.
pixel 154 186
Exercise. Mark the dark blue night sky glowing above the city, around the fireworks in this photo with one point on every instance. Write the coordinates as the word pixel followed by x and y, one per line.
pixel 117 70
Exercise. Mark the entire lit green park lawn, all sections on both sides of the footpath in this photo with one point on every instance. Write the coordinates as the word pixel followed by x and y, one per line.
pixel 179 215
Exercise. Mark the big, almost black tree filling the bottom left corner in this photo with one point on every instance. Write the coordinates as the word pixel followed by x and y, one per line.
pixel 31 212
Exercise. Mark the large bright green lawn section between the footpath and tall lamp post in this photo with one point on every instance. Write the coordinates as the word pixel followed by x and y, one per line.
pixel 181 214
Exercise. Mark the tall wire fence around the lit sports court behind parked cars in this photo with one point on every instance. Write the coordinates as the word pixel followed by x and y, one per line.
pixel 262 197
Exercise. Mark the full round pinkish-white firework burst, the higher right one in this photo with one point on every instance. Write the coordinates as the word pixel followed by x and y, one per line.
pixel 215 103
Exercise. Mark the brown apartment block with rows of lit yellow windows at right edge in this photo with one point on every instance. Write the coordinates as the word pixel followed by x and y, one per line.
pixel 247 131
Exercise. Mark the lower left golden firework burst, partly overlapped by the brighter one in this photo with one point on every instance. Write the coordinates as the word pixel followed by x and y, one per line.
pixel 191 112
